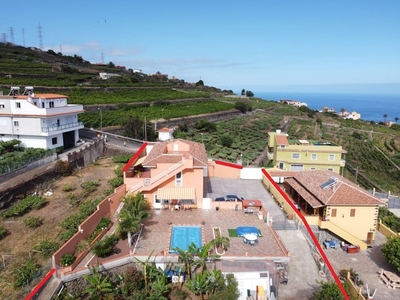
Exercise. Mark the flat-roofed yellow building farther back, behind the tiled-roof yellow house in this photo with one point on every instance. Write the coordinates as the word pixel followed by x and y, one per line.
pixel 301 155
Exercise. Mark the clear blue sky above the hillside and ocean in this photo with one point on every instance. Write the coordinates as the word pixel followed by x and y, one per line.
pixel 259 45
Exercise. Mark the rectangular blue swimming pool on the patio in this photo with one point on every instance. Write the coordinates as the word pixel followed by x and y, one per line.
pixel 183 236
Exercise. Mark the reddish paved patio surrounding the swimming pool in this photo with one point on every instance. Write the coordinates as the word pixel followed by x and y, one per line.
pixel 155 236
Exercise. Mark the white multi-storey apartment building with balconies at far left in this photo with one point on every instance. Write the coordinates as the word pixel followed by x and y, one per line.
pixel 39 120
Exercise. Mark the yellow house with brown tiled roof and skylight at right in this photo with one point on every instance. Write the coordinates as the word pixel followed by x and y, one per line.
pixel 332 202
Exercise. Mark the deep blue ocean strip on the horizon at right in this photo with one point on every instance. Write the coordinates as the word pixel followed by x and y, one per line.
pixel 372 107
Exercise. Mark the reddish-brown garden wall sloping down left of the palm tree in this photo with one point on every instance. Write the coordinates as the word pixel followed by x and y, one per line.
pixel 106 208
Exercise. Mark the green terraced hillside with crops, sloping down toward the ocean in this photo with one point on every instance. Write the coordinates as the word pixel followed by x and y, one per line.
pixel 372 149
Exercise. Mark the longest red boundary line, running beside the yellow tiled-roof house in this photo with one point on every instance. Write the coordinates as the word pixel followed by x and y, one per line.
pixel 321 251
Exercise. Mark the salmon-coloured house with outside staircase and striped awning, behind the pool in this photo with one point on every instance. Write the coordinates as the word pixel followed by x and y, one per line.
pixel 167 173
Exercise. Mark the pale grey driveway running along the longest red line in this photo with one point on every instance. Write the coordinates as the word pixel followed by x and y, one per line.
pixel 302 271
